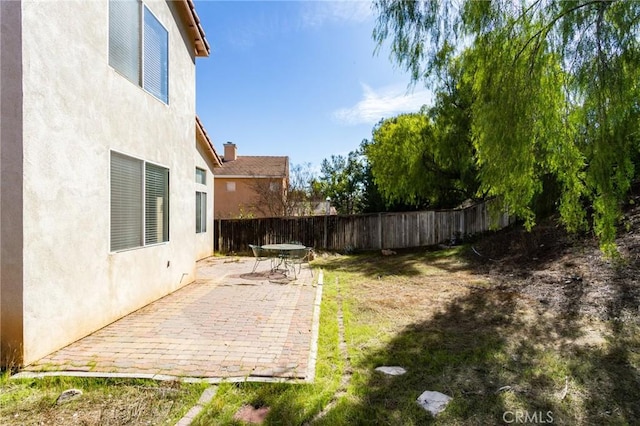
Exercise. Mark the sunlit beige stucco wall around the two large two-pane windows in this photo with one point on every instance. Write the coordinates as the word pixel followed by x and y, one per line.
pixel 76 110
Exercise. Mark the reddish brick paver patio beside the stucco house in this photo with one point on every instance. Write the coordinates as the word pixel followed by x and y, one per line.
pixel 228 324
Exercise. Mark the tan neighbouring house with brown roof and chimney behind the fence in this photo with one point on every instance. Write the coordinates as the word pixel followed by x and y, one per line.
pixel 250 186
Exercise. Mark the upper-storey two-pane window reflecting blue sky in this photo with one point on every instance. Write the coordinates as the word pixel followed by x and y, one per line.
pixel 139 47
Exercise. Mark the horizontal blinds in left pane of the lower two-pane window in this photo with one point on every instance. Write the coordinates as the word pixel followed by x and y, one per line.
pixel 126 202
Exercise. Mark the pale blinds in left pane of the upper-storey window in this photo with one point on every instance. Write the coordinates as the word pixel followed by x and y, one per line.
pixel 124 38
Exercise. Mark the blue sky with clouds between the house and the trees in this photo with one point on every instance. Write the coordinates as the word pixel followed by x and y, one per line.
pixel 296 78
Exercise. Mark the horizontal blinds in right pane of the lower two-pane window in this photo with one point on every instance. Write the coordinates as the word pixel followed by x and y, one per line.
pixel 156 204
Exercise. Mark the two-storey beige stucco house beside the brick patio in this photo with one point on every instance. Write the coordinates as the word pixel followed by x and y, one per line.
pixel 98 169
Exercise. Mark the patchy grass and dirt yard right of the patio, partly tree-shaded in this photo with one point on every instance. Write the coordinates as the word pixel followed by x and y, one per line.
pixel 539 321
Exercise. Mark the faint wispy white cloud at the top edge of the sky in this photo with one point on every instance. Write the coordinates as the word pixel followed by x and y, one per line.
pixel 318 13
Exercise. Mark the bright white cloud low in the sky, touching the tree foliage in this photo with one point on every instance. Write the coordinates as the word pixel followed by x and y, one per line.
pixel 382 103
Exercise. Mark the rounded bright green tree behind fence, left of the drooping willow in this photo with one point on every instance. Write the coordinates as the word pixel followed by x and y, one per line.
pixel 427 158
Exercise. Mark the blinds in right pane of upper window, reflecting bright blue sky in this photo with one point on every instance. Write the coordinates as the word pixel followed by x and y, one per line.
pixel 156 57
